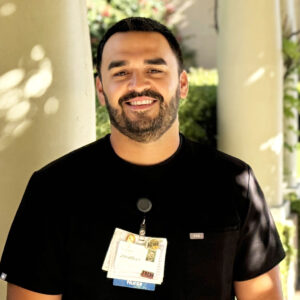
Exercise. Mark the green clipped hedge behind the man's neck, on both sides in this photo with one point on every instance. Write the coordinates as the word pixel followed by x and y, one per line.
pixel 197 113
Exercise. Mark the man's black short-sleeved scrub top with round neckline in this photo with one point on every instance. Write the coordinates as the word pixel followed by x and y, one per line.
pixel 71 207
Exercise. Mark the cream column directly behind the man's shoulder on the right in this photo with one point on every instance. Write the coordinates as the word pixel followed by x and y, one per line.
pixel 250 89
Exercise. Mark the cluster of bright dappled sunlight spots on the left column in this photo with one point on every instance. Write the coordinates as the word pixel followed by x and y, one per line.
pixel 18 91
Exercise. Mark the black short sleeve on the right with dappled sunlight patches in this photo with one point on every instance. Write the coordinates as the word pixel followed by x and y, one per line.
pixel 259 247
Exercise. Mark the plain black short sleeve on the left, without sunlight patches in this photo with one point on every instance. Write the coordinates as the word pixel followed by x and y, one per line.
pixel 32 256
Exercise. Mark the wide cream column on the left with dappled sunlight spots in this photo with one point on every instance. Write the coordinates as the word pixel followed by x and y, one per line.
pixel 46 92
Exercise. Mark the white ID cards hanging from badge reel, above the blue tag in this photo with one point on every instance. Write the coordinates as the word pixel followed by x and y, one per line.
pixel 129 259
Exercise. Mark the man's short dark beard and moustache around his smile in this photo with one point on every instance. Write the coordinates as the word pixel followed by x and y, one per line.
pixel 145 129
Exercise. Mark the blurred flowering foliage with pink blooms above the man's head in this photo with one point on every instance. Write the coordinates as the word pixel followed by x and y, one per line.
pixel 102 14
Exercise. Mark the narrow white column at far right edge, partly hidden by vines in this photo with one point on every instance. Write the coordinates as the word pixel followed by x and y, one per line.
pixel 288 20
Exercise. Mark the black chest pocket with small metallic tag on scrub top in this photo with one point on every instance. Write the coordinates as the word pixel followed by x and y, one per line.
pixel 208 262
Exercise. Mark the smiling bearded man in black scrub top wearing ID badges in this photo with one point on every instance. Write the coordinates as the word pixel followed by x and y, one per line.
pixel 199 211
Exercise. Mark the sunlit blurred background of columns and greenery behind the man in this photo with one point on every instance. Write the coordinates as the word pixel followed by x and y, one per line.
pixel 243 62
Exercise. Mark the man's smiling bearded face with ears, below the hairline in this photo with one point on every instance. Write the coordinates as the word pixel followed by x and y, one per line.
pixel 140 84
